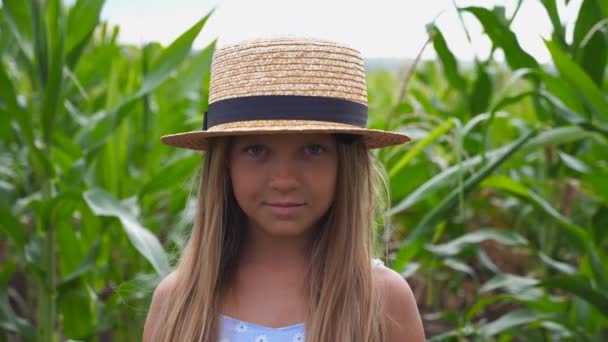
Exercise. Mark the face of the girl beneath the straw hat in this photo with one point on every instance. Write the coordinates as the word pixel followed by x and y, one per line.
pixel 284 183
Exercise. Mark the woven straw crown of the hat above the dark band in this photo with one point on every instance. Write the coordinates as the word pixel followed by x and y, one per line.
pixel 288 67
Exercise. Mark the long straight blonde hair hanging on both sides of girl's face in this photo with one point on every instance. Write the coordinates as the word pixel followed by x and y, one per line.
pixel 344 304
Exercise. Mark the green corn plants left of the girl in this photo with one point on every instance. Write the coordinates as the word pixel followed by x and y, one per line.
pixel 85 186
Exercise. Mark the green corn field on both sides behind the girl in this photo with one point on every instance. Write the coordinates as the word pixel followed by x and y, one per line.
pixel 499 216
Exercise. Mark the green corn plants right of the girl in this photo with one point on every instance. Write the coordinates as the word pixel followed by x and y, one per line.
pixel 500 201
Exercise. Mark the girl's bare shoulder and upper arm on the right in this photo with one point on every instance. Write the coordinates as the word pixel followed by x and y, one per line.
pixel 402 319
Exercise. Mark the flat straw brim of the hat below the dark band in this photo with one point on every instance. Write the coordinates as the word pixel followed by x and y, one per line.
pixel 197 140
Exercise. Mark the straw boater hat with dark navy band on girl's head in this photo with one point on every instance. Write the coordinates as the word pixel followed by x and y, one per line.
pixel 286 85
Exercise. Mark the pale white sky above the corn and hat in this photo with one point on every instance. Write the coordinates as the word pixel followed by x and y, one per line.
pixel 378 28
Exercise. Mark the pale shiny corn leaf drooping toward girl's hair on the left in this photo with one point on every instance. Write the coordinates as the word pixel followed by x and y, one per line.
pixel 104 204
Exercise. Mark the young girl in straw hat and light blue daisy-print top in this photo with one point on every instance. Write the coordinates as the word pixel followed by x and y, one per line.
pixel 282 243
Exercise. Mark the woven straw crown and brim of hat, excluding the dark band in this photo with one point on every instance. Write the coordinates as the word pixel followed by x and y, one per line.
pixel 286 66
